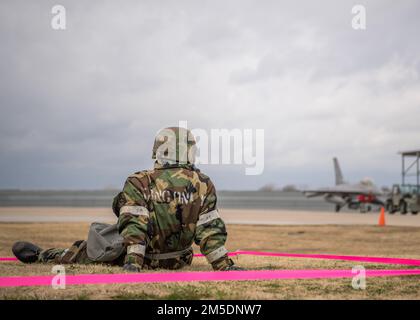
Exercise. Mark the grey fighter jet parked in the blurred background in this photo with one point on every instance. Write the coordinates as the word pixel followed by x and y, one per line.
pixel 356 196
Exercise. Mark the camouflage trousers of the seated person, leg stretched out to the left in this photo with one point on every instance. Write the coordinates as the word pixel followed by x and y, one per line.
pixel 77 253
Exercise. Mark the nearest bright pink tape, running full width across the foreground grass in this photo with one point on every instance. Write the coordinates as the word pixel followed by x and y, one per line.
pixel 197 276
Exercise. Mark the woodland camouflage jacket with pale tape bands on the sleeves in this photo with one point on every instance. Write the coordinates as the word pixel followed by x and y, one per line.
pixel 165 210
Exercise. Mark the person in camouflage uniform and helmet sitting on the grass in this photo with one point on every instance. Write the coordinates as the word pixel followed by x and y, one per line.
pixel 162 211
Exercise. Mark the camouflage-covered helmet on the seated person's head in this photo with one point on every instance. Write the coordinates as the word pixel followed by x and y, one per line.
pixel 174 145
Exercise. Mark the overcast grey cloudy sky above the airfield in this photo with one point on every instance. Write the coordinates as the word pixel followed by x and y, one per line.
pixel 80 107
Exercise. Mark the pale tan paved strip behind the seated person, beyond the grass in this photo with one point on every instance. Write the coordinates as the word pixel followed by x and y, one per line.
pixel 230 216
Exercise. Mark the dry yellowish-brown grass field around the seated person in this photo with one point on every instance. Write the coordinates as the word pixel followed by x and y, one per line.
pixel 346 240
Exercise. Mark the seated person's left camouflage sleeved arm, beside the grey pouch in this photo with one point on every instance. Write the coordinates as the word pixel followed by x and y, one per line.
pixel 133 221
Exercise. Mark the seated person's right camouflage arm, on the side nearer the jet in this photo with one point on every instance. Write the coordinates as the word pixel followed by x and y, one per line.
pixel 211 232
